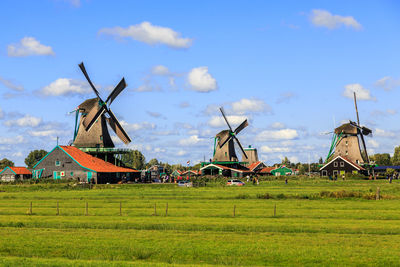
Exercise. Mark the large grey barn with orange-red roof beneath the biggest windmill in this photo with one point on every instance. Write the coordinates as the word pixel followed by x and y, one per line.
pixel 69 162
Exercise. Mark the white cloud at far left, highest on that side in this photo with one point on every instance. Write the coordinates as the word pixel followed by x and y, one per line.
pixel 29 46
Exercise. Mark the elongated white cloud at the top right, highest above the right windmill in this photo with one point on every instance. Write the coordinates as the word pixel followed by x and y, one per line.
pixel 323 18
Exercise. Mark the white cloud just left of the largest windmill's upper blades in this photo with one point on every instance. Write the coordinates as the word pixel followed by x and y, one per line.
pixel 64 86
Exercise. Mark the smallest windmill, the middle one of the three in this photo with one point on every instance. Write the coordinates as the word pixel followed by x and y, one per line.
pixel 224 147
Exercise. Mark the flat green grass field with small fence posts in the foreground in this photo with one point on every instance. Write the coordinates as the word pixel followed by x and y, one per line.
pixel 317 222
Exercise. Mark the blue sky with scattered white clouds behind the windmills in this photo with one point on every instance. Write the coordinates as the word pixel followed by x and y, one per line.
pixel 290 67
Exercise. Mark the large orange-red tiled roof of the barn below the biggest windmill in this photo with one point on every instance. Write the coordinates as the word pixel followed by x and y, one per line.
pixel 93 163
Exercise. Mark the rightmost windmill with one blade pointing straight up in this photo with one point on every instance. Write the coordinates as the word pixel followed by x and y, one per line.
pixel 348 141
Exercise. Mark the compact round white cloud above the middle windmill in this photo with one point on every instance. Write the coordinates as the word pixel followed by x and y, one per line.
pixel 201 81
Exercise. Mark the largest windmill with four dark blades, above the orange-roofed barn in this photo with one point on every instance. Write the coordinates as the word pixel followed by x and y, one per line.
pixel 95 113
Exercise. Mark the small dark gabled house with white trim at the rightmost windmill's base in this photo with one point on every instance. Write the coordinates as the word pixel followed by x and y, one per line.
pixel 340 166
